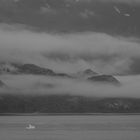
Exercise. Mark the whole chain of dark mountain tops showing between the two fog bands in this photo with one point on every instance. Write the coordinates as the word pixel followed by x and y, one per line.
pixel 13 68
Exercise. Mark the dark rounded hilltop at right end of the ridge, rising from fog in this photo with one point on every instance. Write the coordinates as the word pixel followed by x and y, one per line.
pixel 105 79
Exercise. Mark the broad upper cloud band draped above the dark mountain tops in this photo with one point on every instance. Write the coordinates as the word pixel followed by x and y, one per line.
pixel 69 52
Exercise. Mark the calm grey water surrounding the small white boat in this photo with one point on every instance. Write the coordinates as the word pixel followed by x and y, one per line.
pixel 70 127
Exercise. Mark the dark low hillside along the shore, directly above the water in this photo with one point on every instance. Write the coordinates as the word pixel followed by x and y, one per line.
pixel 66 104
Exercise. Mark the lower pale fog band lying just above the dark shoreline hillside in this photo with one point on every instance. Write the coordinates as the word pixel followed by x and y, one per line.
pixel 29 84
